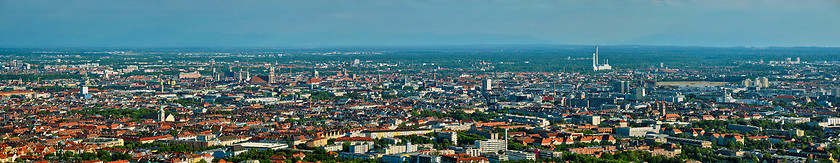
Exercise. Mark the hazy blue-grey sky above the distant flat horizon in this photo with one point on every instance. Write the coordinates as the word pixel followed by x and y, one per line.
pixel 318 23
